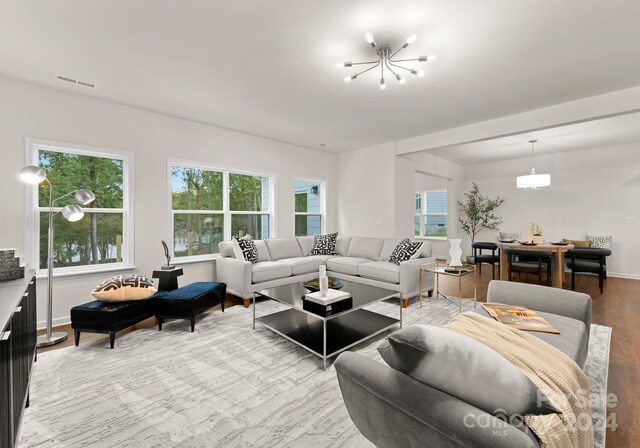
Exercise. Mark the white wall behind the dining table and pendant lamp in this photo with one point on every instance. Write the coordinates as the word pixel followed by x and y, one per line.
pixel 592 191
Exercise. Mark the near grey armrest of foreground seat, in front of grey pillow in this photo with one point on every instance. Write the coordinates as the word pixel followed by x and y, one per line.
pixel 392 410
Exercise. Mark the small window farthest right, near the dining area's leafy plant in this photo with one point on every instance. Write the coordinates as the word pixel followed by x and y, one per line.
pixel 431 214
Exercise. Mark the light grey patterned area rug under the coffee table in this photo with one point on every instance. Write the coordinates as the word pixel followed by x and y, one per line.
pixel 225 385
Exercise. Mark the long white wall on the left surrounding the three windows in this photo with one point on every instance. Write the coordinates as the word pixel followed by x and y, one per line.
pixel 27 110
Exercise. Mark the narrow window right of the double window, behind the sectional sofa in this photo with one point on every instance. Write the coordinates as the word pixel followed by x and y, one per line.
pixel 309 207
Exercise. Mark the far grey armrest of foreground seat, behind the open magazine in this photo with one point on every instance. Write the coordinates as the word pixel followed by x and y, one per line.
pixel 542 298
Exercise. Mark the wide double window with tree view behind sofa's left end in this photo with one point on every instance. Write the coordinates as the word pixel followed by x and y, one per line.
pixel 209 205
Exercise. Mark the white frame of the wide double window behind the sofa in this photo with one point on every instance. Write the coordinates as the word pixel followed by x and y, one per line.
pixel 226 212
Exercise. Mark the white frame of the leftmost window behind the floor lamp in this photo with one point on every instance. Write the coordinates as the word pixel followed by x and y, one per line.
pixel 33 209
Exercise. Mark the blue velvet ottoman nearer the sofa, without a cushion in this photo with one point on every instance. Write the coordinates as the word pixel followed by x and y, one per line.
pixel 187 302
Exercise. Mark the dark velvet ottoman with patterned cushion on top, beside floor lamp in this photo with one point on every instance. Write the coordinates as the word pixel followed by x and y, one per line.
pixel 108 317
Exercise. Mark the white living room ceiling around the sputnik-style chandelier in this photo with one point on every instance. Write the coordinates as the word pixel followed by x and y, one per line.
pixel 268 68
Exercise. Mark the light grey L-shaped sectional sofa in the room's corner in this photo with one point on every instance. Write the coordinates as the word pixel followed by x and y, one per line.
pixel 283 261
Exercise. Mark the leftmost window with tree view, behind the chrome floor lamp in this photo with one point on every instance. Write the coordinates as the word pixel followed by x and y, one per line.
pixel 102 239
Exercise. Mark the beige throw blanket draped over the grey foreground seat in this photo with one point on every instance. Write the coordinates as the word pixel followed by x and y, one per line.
pixel 555 374
